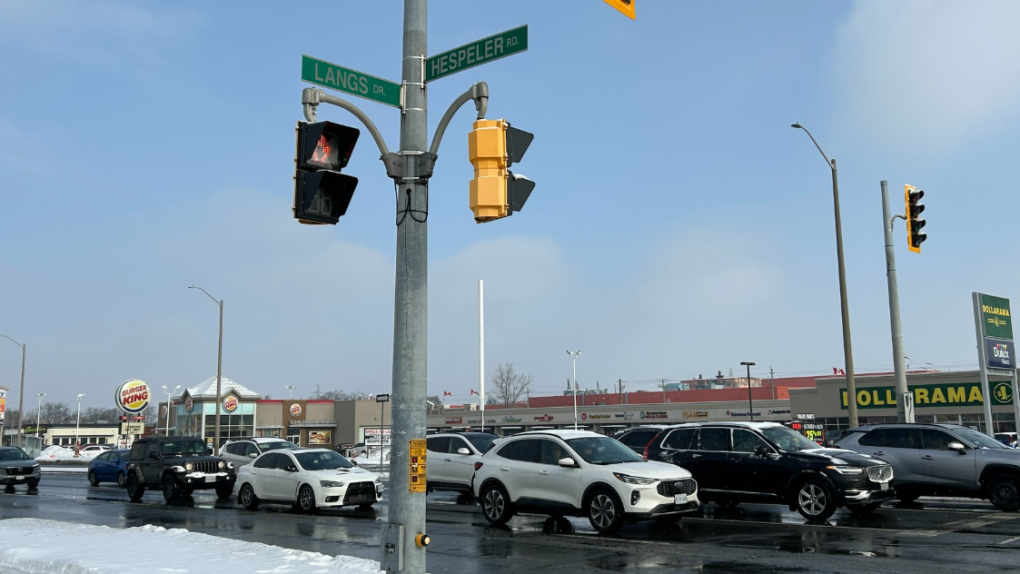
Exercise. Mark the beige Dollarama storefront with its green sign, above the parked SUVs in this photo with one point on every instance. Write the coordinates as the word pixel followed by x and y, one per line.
pixel 939 397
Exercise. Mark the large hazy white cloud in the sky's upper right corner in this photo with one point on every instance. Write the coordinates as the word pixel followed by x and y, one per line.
pixel 931 74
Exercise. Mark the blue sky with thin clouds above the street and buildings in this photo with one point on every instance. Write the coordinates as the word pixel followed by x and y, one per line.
pixel 680 226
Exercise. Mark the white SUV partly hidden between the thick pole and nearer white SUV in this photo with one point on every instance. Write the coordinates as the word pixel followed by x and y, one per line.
pixel 452 457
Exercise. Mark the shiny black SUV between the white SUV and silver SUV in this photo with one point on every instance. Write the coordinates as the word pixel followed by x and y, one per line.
pixel 766 462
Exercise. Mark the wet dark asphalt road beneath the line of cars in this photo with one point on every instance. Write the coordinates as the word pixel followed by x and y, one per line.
pixel 933 538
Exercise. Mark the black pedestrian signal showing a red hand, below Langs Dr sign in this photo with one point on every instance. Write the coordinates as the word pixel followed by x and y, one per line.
pixel 322 193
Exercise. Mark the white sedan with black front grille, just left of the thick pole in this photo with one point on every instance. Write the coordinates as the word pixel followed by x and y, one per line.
pixel 307 479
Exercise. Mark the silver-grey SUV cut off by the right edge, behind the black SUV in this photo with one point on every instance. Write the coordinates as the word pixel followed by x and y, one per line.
pixel 942 460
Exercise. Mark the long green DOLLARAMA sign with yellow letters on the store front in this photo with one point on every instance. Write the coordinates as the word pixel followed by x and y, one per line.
pixel 943 395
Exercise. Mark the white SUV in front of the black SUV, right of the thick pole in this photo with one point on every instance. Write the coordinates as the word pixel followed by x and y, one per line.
pixel 580 474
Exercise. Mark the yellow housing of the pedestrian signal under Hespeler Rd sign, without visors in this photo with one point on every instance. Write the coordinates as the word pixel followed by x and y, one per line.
pixel 487 149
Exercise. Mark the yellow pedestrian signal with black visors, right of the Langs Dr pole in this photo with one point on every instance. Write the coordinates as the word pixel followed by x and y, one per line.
pixel 493 146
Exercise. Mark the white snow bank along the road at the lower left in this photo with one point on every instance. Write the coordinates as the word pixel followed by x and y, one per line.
pixel 45 547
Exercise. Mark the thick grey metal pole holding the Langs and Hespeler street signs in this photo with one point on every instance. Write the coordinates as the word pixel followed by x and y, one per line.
pixel 412 293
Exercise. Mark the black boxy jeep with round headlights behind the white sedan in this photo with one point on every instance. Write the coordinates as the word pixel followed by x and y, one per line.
pixel 177 465
